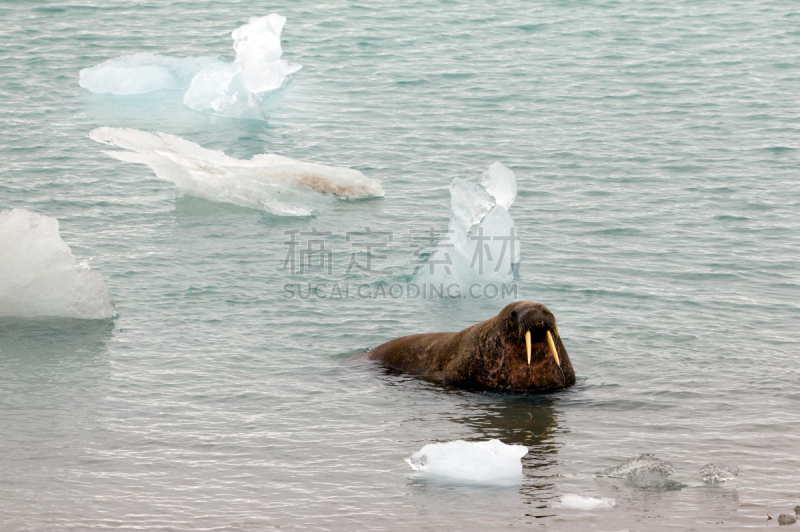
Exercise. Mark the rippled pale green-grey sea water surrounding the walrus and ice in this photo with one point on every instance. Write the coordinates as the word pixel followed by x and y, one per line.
pixel 657 152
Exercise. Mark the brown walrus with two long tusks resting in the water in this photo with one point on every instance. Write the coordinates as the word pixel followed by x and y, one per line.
pixel 519 350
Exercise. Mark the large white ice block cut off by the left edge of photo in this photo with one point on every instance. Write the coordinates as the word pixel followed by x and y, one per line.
pixel 39 275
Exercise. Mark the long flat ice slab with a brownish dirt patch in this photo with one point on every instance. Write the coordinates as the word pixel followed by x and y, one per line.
pixel 279 185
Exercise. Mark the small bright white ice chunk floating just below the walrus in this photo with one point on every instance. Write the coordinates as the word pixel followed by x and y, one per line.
pixel 485 462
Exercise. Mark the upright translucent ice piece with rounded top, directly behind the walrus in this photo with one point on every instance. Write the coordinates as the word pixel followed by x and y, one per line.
pixel 481 242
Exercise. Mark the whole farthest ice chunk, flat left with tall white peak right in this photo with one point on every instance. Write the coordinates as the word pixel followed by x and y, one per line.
pixel 211 84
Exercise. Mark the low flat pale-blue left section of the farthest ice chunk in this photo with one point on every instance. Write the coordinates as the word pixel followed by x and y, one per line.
pixel 142 73
